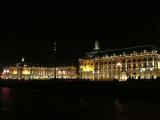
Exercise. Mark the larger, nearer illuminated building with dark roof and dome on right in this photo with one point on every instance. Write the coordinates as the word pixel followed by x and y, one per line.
pixel 142 62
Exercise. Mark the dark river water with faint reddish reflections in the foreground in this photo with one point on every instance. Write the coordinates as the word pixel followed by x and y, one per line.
pixel 44 103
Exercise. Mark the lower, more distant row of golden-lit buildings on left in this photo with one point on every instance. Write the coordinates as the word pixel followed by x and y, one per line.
pixel 22 71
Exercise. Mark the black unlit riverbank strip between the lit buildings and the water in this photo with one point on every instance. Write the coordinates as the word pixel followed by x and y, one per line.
pixel 130 87
